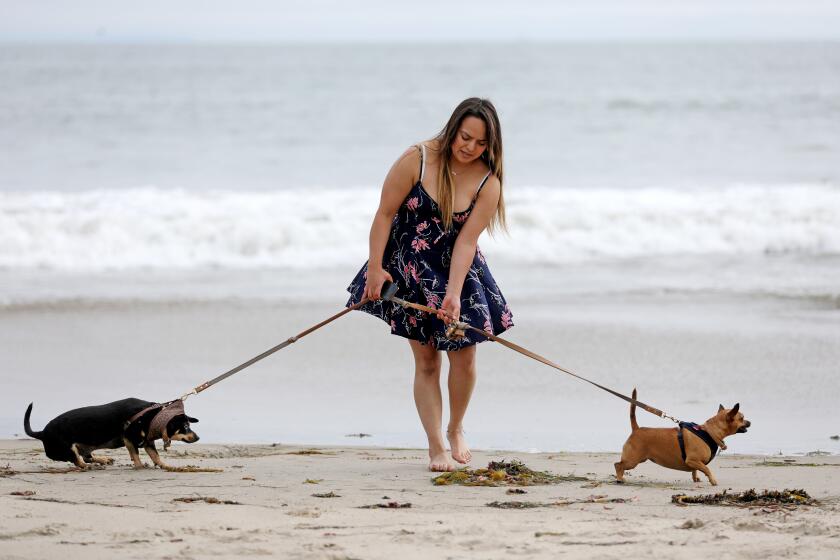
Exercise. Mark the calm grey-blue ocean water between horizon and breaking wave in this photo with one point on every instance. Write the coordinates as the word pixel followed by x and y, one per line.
pixel 614 116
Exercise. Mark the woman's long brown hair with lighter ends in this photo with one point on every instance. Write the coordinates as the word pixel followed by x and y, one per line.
pixel 492 157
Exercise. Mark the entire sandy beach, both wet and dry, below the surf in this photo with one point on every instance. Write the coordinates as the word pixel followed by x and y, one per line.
pixel 351 378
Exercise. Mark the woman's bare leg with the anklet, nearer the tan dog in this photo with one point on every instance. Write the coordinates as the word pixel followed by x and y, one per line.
pixel 462 375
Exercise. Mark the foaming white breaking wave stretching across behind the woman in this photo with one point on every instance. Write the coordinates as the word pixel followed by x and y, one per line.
pixel 177 229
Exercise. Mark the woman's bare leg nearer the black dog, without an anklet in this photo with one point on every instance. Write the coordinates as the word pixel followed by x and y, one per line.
pixel 429 403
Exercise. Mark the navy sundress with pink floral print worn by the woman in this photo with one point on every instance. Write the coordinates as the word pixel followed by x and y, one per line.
pixel 417 256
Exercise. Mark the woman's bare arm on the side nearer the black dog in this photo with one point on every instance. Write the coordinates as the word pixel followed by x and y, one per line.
pixel 398 183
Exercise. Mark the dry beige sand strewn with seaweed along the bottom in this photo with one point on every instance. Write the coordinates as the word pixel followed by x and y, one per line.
pixel 126 513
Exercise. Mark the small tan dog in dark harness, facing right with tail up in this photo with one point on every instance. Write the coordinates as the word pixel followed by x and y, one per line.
pixel 664 447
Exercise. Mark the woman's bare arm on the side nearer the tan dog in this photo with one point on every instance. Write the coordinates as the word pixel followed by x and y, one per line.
pixel 465 246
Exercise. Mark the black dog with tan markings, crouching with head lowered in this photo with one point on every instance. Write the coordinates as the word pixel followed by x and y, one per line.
pixel 133 423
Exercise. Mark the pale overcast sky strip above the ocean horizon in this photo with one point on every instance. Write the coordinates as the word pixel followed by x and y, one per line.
pixel 103 21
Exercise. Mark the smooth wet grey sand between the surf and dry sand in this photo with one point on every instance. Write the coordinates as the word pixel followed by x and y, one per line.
pixel 685 355
